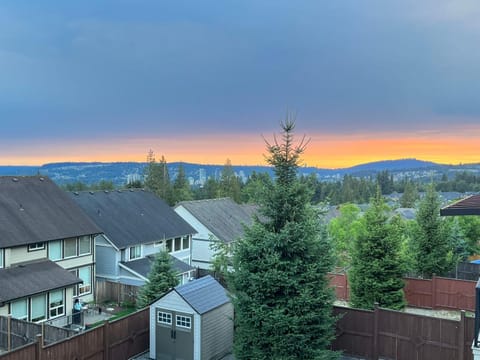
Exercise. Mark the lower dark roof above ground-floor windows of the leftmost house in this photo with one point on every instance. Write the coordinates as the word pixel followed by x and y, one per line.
pixel 32 278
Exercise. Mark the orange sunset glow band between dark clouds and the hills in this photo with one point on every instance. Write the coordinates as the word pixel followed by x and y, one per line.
pixel 323 151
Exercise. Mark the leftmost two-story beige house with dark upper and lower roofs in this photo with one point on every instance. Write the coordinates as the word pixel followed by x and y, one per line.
pixel 47 257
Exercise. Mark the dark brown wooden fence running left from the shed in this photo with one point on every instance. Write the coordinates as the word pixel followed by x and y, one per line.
pixel 120 339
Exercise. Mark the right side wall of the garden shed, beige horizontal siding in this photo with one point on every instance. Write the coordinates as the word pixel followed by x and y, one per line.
pixel 217 321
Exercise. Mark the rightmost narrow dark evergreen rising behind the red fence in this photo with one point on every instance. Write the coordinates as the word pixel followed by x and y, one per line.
pixel 431 242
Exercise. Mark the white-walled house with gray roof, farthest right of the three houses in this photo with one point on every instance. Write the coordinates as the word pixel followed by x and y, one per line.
pixel 213 220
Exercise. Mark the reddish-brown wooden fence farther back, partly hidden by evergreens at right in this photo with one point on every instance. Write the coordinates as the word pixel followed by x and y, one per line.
pixel 435 293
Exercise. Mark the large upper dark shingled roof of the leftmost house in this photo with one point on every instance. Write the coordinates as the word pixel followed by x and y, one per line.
pixel 34 209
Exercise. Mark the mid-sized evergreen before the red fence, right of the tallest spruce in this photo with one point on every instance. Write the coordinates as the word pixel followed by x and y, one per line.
pixel 377 267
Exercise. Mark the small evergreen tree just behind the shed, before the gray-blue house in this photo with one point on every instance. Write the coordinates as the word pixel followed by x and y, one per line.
pixel 160 279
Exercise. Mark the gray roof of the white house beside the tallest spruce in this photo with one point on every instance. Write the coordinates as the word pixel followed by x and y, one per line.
pixel 223 217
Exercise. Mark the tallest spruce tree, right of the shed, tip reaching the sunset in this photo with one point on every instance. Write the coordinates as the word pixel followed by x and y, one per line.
pixel 282 298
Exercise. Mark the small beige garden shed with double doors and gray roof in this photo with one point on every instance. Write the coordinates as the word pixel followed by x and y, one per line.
pixel 192 322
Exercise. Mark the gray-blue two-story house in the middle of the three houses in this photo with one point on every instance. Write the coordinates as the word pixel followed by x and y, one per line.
pixel 136 225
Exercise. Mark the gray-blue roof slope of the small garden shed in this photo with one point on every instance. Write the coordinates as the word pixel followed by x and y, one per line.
pixel 204 294
